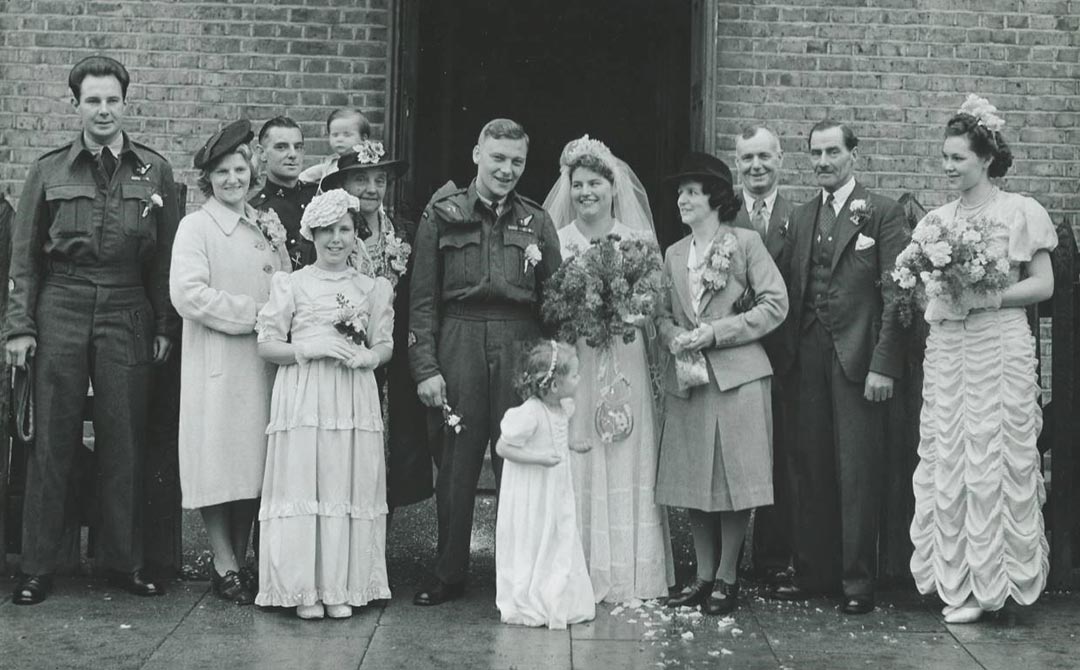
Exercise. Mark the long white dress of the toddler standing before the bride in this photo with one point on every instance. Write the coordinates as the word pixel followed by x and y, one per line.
pixel 541 573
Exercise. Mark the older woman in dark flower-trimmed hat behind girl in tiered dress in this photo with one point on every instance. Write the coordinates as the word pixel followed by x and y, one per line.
pixel 366 172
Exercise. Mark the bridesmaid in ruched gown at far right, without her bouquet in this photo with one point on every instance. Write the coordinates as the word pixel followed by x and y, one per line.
pixel 979 492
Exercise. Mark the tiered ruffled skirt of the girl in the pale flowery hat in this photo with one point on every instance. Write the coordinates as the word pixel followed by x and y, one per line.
pixel 323 514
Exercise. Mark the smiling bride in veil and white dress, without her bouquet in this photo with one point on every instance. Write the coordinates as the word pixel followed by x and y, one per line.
pixel 624 531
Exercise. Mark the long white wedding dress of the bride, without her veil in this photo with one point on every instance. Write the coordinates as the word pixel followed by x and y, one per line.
pixel 625 532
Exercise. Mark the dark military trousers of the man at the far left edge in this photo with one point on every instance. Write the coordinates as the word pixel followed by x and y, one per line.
pixel 105 336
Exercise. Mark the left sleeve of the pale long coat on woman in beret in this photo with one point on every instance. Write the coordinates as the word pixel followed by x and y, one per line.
pixel 190 287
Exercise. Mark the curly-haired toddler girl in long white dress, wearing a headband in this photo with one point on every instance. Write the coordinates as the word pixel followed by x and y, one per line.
pixel 542 578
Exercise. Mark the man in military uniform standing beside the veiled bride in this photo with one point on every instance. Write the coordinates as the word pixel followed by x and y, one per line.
pixel 482 256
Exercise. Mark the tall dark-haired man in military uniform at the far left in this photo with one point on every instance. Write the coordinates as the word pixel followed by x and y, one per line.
pixel 90 301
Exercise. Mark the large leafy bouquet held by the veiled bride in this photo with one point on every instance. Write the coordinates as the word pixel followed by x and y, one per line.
pixel 605 291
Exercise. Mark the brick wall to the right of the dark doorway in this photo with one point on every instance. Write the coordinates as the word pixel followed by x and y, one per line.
pixel 897 71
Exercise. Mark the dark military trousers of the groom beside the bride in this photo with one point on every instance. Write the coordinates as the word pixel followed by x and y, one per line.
pixel 479 354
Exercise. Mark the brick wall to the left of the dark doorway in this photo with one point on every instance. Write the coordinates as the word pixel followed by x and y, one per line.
pixel 195 65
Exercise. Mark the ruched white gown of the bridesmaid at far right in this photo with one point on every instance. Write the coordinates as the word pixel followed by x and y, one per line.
pixel 979 491
